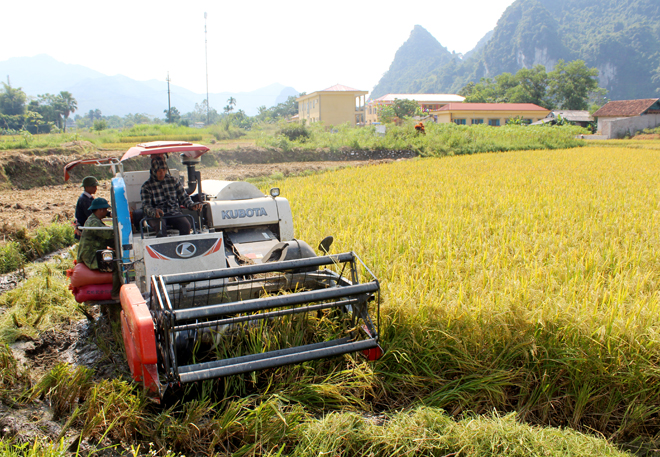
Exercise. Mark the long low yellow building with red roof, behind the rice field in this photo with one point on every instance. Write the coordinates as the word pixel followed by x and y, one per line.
pixel 494 114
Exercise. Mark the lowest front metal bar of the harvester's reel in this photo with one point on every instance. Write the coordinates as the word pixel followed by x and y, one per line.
pixel 254 362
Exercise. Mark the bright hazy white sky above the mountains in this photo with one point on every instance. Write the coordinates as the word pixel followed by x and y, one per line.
pixel 304 44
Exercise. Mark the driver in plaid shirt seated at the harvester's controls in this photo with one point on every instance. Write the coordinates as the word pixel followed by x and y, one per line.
pixel 163 195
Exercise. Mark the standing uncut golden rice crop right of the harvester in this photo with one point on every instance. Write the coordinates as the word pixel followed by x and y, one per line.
pixel 523 281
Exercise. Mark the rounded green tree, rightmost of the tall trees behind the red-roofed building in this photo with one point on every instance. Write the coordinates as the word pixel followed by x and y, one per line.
pixel 572 84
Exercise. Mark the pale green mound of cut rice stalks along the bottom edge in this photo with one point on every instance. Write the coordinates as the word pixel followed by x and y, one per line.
pixel 429 432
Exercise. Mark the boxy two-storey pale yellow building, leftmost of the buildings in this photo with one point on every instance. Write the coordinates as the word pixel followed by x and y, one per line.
pixel 333 106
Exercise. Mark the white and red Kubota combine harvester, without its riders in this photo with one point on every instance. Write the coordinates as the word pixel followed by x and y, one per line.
pixel 236 295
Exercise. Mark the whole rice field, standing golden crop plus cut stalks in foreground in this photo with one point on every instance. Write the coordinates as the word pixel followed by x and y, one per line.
pixel 520 317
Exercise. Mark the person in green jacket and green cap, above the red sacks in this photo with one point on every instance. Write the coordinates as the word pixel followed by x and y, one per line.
pixel 97 240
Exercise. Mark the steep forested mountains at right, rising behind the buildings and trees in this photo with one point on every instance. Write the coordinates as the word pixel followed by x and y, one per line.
pixel 621 38
